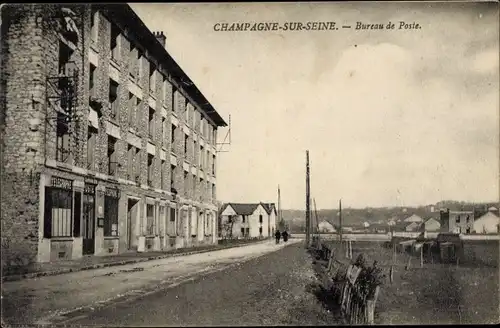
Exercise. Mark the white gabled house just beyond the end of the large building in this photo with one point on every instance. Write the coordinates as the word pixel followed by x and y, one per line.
pixel 248 220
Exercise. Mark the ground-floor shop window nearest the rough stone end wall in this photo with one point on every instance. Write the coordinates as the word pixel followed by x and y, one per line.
pixel 58 214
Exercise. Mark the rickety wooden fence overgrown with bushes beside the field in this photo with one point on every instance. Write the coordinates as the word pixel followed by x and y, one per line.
pixel 356 299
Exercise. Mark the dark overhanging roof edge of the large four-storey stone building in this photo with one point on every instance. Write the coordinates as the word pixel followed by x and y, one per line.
pixel 124 14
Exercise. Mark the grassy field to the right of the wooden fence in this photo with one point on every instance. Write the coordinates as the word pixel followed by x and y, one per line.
pixel 434 293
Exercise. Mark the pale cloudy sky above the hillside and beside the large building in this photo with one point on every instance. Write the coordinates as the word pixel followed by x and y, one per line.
pixel 390 117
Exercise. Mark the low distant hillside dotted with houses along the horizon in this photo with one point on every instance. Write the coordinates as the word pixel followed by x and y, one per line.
pixel 355 217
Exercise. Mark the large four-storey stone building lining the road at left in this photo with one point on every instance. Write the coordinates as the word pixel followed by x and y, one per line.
pixel 107 145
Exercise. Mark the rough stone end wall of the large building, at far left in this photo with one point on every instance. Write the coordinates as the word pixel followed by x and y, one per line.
pixel 23 81
